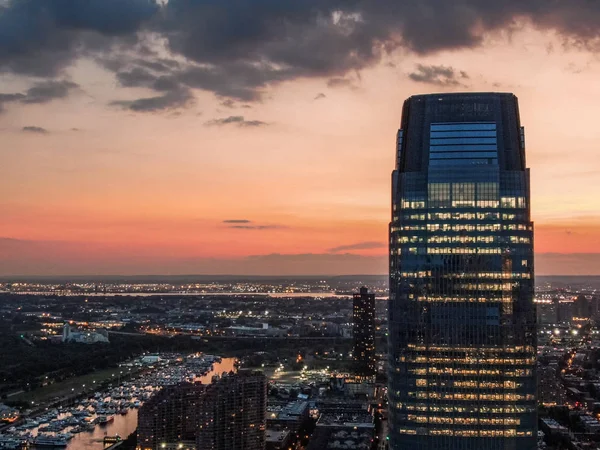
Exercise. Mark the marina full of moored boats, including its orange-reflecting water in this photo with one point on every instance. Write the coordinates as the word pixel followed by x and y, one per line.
pixel 106 416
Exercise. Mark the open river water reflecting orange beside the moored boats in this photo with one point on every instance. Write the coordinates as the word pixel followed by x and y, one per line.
pixel 124 425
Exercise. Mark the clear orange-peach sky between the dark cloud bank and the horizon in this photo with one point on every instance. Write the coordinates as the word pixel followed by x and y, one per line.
pixel 149 193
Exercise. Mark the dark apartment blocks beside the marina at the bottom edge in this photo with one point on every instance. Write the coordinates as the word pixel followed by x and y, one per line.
pixel 228 414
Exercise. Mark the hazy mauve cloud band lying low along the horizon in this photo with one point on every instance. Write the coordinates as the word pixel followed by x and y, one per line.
pixel 29 257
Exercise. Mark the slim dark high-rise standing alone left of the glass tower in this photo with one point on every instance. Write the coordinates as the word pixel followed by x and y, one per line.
pixel 363 315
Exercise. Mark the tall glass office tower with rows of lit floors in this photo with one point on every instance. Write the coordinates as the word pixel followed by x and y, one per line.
pixel 462 337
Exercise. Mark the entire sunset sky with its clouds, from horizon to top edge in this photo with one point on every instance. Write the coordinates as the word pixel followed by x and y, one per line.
pixel 257 136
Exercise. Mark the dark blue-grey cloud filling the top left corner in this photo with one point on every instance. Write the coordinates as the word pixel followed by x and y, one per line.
pixel 43 37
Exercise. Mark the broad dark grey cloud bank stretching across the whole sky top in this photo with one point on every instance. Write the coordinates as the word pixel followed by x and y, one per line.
pixel 239 48
